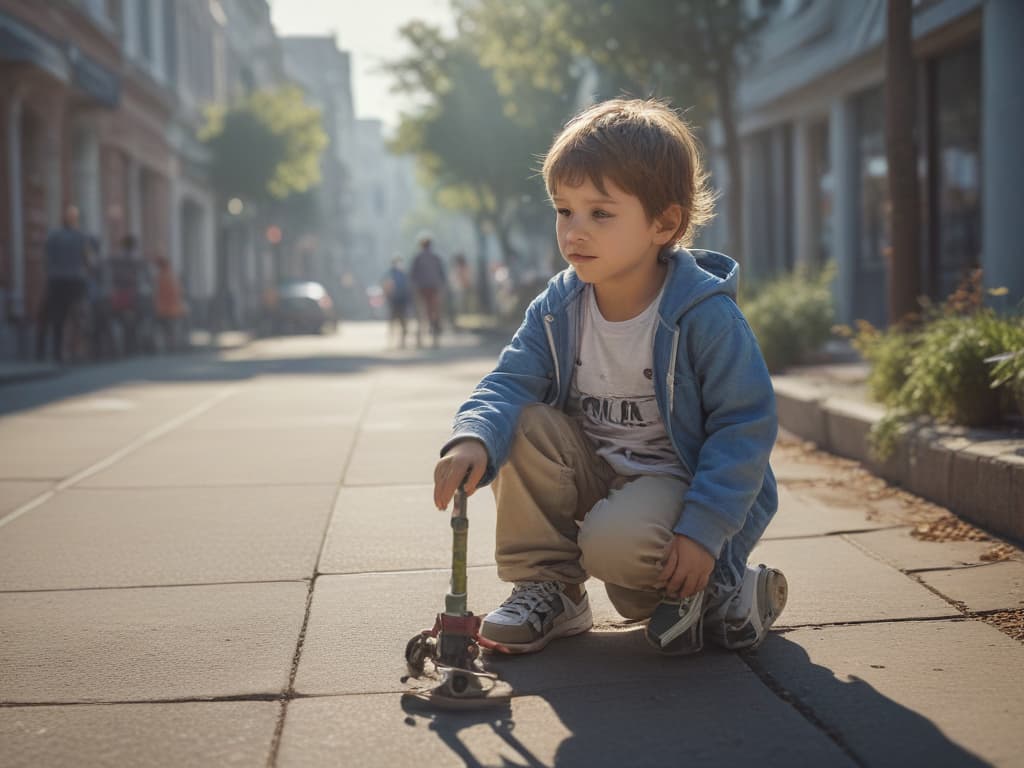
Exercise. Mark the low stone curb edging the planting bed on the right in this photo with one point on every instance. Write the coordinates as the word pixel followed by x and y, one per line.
pixel 976 474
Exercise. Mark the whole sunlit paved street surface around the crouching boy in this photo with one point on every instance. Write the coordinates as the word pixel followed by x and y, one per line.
pixel 218 560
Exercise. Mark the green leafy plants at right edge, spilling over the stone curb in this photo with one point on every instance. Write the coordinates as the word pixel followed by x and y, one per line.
pixel 943 369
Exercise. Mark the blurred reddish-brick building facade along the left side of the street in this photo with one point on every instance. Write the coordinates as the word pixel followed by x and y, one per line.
pixel 101 102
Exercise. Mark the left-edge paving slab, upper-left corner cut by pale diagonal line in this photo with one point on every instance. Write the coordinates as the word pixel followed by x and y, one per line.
pixel 91 539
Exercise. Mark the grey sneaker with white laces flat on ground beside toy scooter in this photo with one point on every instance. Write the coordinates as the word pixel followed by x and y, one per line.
pixel 536 614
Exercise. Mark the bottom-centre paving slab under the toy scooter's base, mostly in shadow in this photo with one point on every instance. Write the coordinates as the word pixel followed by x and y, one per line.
pixel 691 721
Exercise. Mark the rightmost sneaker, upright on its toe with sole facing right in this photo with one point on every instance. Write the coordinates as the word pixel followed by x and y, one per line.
pixel 752 611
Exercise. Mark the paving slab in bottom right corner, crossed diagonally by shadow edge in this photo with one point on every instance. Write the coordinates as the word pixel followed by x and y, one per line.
pixel 936 694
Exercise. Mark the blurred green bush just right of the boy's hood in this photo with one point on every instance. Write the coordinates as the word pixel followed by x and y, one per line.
pixel 792 317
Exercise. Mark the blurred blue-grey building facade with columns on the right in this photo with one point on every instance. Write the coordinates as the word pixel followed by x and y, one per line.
pixel 812 113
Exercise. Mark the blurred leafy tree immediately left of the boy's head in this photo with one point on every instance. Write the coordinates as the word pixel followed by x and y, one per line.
pixel 478 141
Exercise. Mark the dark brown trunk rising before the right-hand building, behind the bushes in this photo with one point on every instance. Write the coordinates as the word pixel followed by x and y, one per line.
pixel 905 257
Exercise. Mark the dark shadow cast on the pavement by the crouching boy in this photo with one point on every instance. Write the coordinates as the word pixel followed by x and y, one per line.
pixel 621 704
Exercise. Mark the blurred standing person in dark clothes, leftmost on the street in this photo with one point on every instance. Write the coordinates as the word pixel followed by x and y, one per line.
pixel 67 264
